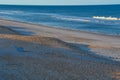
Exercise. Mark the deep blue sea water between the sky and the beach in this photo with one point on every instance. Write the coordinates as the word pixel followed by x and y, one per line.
pixel 71 17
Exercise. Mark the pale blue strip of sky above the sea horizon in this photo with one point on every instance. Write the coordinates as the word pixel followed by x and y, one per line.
pixel 59 2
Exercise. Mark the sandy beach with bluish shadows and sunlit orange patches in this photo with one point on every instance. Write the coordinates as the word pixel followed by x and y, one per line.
pixel 37 52
